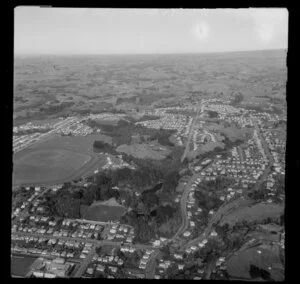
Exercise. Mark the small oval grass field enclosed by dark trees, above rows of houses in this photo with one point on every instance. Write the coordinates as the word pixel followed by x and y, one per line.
pixel 103 212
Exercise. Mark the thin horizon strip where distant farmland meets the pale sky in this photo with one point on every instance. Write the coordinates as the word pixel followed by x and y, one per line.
pixel 148 53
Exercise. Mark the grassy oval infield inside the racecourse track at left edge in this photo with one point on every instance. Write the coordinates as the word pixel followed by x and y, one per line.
pixel 45 165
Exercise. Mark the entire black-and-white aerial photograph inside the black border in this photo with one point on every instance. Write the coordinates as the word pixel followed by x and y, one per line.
pixel 149 143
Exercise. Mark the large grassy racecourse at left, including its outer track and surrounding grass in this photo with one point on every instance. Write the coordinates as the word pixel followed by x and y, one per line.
pixel 58 158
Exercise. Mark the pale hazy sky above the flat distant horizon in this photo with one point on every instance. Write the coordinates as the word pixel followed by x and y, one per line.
pixel 102 31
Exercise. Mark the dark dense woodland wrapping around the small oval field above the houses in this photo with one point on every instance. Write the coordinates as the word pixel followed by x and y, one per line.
pixel 147 212
